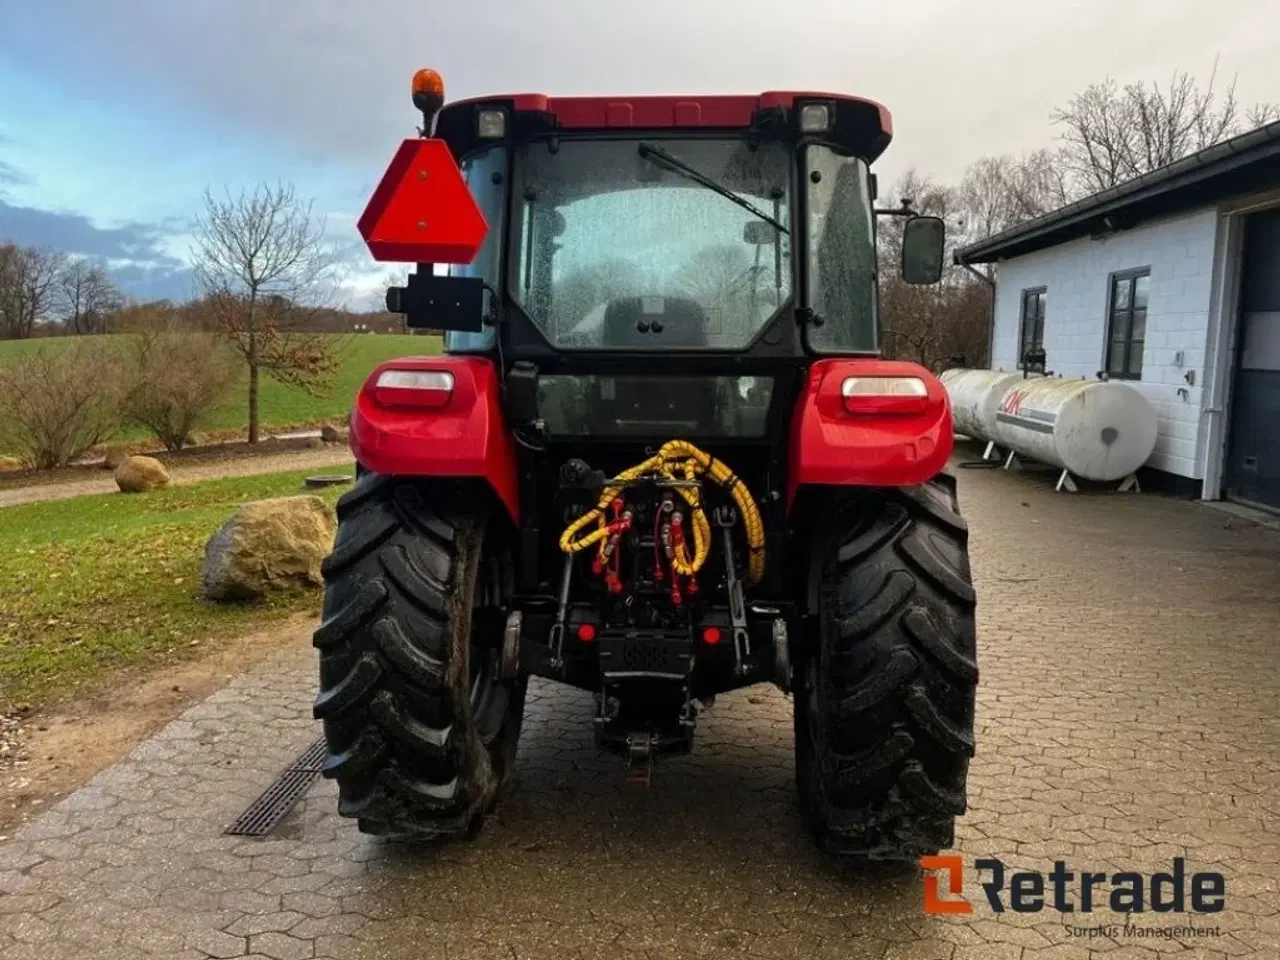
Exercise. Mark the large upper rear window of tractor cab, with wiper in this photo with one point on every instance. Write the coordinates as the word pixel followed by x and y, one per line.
pixel 611 249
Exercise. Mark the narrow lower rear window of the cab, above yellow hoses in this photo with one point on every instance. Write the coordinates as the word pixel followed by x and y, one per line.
pixel 655 406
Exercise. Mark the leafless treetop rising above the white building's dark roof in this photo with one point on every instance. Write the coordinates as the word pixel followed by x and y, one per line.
pixel 1116 134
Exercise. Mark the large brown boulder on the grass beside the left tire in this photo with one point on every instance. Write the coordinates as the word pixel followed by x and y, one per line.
pixel 268 547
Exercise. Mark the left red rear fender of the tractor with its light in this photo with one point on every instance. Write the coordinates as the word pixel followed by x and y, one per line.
pixel 440 418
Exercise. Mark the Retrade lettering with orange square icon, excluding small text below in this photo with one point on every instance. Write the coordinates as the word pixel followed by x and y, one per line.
pixel 1066 892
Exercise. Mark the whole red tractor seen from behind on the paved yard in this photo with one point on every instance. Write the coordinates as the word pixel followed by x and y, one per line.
pixel 660 460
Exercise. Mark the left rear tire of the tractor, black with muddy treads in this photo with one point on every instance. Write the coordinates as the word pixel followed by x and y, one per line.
pixel 420 728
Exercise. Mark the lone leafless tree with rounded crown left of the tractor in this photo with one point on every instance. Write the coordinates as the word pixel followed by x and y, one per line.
pixel 263 264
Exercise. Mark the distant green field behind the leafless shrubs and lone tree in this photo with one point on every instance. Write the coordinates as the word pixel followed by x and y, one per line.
pixel 282 406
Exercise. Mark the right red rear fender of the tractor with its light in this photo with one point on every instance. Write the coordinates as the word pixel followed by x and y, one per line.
pixel 872 438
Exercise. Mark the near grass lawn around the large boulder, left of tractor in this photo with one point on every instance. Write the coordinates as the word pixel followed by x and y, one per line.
pixel 94 586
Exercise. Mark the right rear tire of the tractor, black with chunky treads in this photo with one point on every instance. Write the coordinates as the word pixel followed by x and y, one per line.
pixel 885 696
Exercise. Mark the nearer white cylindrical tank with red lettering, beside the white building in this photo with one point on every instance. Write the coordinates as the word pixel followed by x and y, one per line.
pixel 1095 429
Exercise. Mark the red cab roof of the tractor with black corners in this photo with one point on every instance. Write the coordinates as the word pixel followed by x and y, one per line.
pixel 861 126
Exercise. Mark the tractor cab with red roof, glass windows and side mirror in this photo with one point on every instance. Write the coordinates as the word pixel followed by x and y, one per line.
pixel 669 266
